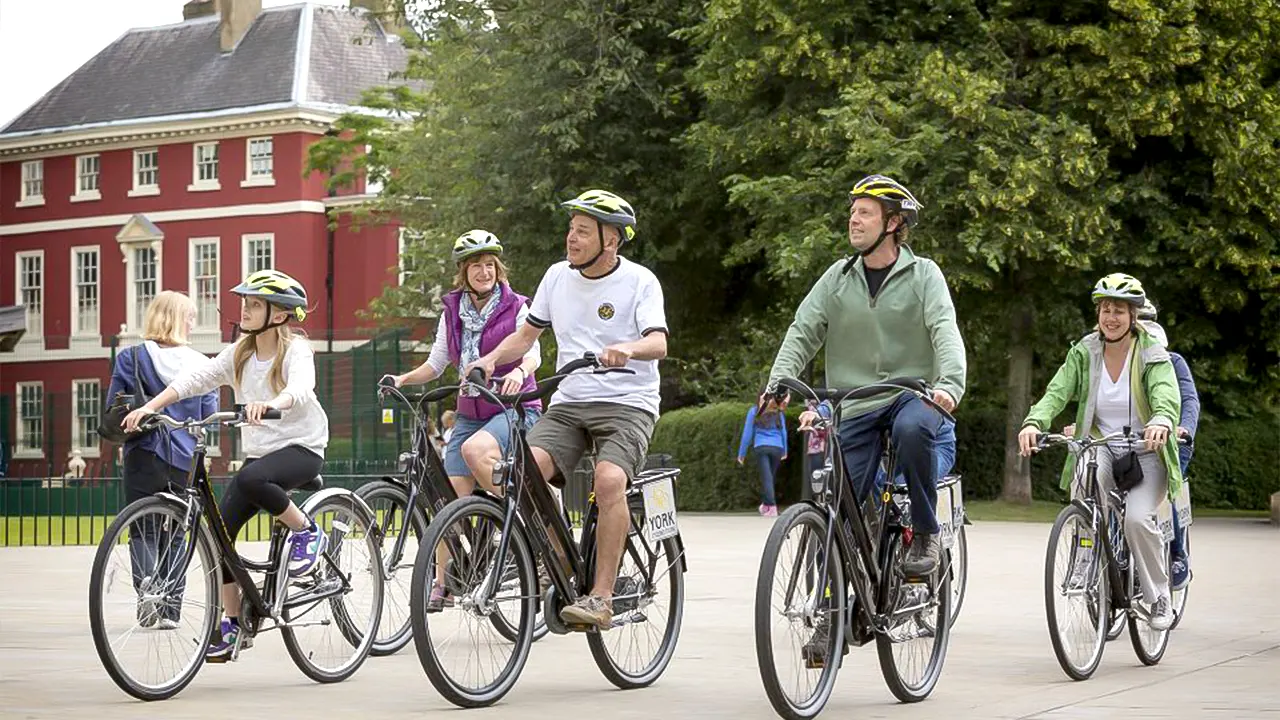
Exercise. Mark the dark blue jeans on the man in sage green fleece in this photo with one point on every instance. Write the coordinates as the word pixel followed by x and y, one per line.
pixel 915 430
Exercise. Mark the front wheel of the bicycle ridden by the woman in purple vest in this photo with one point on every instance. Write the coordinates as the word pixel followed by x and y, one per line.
pixel 388 502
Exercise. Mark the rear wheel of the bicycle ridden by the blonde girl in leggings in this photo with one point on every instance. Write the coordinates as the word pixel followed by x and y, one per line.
pixel 332 613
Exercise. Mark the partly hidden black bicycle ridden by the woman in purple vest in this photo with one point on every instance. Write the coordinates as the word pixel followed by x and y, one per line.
pixel 426 490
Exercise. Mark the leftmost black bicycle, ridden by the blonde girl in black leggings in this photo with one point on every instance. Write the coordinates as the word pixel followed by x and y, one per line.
pixel 163 604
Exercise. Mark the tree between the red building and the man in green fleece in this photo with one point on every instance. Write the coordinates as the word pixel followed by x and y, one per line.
pixel 514 108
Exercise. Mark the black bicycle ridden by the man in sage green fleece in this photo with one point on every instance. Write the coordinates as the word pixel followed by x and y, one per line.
pixel 838 550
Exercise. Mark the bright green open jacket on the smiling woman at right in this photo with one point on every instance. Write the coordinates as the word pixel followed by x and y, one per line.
pixel 1155 390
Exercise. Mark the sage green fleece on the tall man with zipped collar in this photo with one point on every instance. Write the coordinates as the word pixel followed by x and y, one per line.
pixel 908 330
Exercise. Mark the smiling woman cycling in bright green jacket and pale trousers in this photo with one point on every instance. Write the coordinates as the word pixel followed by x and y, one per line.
pixel 1122 377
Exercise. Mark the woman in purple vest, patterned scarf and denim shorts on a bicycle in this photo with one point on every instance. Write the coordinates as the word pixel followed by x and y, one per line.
pixel 479 315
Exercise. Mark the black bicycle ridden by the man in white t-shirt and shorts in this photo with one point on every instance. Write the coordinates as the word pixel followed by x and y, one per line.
pixel 492 540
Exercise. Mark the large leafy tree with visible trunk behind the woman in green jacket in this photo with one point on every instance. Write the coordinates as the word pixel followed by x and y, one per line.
pixel 1049 143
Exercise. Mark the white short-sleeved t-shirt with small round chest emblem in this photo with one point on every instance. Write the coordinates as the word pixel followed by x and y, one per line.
pixel 589 316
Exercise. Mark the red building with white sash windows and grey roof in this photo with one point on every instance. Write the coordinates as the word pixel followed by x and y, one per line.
pixel 175 161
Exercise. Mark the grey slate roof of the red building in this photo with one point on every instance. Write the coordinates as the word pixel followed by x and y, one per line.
pixel 180 71
